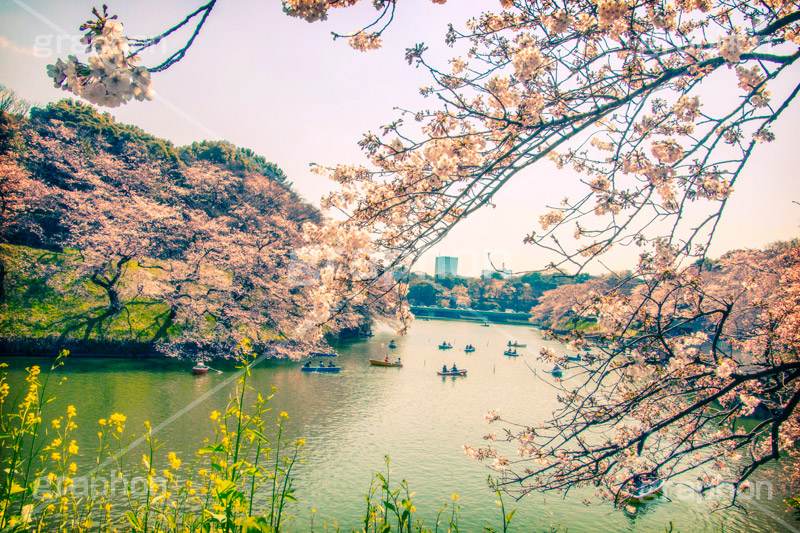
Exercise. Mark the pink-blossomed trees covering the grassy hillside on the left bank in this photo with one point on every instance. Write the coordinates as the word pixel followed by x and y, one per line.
pixel 193 256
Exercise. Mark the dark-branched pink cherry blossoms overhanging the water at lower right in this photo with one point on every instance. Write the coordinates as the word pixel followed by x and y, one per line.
pixel 684 357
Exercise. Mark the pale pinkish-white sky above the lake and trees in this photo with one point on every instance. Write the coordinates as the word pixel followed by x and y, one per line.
pixel 283 88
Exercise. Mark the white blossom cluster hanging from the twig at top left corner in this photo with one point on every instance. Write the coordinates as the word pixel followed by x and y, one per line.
pixel 110 78
